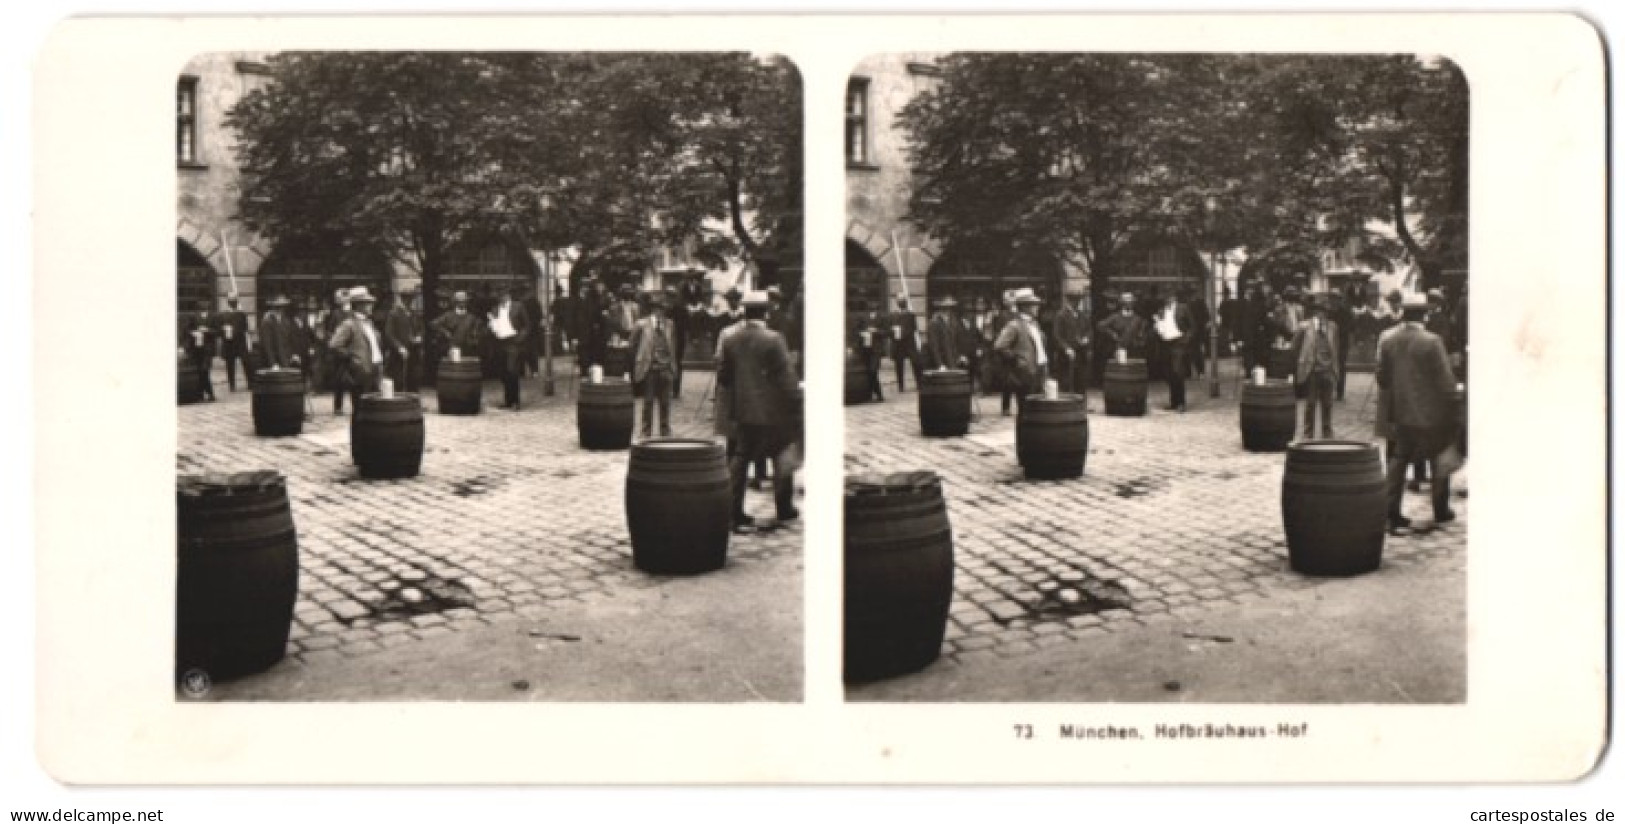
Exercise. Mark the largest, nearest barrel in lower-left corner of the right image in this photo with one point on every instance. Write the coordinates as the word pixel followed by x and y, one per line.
pixel 899 575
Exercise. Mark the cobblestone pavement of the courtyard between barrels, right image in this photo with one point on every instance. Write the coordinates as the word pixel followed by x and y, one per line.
pixel 1171 518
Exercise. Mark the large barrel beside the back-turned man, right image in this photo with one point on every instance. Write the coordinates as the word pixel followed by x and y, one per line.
pixel 1335 508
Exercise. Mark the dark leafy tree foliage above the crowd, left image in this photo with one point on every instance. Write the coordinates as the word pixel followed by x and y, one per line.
pixel 602 155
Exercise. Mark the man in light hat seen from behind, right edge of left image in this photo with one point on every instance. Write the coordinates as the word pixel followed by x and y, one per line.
pixel 756 370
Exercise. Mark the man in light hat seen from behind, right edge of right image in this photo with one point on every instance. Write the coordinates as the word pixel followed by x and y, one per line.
pixel 1413 368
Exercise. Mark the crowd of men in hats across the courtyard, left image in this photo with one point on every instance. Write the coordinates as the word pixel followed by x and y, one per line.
pixel 753 342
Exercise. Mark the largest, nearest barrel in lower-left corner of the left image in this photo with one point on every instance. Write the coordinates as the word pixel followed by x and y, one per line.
pixel 236 575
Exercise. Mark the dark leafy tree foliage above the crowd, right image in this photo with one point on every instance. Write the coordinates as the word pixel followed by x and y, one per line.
pixel 1078 154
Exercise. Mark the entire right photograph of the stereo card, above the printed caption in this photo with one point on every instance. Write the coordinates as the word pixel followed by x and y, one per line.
pixel 1156 378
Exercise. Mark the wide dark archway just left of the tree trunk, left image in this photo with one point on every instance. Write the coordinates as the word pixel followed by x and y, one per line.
pixel 310 271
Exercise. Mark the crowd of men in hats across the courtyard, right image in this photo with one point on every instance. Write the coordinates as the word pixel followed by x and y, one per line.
pixel 1419 347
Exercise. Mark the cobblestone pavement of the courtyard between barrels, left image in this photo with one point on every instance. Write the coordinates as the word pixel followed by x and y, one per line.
pixel 508 516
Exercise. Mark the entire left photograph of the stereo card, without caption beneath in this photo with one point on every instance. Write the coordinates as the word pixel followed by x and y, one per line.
pixel 490 378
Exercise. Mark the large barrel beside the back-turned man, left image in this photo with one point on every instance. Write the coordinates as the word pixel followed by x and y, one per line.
pixel 678 505
